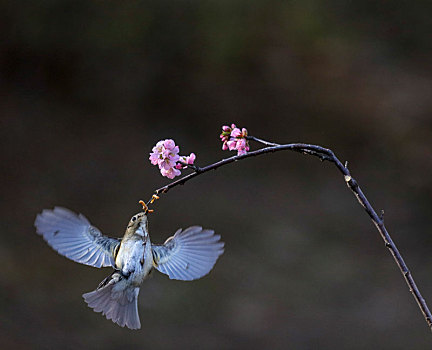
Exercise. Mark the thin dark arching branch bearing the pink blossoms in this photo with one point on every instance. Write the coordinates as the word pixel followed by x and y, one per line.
pixel 328 155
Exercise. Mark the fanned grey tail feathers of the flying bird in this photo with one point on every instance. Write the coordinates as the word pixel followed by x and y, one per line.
pixel 116 300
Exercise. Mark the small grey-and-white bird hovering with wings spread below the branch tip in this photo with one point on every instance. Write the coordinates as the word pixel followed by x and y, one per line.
pixel 187 255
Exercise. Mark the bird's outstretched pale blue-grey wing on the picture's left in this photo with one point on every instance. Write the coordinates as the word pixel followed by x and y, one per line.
pixel 74 237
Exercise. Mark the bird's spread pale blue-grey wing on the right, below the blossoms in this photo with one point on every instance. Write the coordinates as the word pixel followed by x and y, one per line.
pixel 189 254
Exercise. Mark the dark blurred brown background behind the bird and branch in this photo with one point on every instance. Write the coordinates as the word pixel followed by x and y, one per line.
pixel 88 87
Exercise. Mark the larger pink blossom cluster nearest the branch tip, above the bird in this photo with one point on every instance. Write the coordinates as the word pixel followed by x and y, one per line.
pixel 165 156
